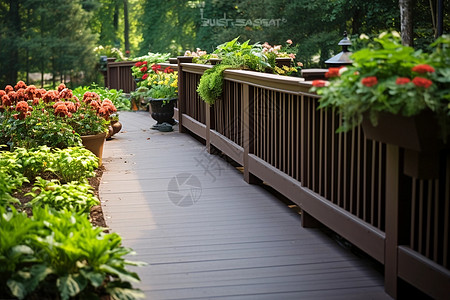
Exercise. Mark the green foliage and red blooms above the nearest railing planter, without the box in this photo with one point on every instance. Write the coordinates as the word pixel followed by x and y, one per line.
pixel 389 77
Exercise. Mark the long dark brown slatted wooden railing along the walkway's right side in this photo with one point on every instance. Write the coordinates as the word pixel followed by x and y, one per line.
pixel 271 126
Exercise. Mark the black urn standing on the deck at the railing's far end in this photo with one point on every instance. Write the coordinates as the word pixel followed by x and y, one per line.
pixel 162 111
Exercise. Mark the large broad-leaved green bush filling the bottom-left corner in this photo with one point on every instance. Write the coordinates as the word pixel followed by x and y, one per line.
pixel 59 255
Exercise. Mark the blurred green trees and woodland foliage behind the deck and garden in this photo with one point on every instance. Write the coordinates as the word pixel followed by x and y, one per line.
pixel 57 37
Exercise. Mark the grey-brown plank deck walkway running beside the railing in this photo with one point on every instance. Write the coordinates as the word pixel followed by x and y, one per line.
pixel 206 234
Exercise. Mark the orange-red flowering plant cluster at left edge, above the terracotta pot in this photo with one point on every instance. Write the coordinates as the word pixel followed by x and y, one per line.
pixel 31 117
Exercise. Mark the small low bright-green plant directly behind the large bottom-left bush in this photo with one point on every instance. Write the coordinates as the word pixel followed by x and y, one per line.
pixel 74 196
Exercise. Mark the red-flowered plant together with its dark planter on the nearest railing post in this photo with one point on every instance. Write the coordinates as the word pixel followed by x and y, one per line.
pixel 391 88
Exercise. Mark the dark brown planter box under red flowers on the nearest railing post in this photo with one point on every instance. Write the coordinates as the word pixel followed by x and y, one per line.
pixel 418 135
